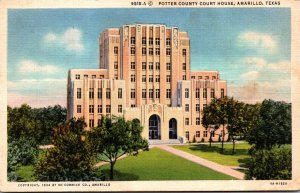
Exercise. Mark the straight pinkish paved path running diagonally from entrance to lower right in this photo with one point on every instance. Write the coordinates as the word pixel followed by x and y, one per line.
pixel 204 162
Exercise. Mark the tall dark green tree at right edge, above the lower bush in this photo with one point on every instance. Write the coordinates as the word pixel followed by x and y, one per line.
pixel 273 126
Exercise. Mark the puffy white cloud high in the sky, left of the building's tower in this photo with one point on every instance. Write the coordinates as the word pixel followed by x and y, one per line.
pixel 70 40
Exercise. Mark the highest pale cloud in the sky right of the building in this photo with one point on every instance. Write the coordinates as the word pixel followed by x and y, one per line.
pixel 258 40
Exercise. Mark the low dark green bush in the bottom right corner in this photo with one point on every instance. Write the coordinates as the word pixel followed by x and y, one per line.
pixel 271 164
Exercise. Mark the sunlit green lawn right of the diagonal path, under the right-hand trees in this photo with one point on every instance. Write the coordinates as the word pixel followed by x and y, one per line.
pixel 214 153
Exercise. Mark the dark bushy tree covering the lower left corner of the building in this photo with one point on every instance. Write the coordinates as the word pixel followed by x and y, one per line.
pixel 70 158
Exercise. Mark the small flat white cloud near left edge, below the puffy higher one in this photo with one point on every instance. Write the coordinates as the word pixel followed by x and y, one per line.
pixel 29 66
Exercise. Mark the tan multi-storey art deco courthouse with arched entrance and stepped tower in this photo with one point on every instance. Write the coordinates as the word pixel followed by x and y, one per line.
pixel 145 74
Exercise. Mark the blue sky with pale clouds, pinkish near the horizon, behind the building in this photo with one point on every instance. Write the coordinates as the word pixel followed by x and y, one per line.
pixel 249 47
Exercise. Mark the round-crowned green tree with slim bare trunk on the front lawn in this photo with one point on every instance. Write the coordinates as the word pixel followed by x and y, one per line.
pixel 115 137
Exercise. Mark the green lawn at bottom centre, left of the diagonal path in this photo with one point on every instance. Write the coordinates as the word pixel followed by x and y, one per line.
pixel 157 164
